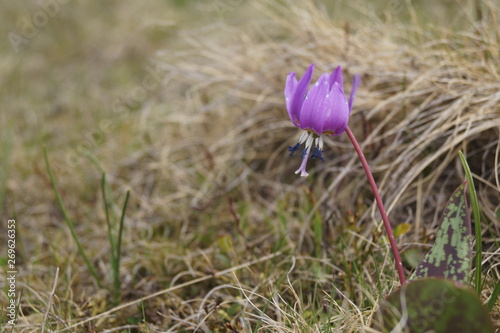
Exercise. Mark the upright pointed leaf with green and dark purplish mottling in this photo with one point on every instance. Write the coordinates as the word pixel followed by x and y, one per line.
pixel 450 257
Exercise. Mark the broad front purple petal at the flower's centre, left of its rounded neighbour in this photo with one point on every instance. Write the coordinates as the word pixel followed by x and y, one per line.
pixel 313 113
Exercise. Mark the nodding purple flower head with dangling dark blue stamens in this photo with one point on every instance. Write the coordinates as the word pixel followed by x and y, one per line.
pixel 322 110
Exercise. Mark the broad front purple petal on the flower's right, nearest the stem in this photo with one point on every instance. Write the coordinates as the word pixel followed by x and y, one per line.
pixel 337 116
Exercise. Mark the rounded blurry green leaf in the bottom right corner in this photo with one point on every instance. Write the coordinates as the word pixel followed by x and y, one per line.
pixel 432 305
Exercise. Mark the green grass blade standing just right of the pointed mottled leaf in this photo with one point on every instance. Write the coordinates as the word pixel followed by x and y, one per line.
pixel 477 222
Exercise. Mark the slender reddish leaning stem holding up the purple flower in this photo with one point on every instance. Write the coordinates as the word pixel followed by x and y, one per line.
pixel 387 225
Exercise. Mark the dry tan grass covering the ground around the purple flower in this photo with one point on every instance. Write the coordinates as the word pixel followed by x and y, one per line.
pixel 219 230
